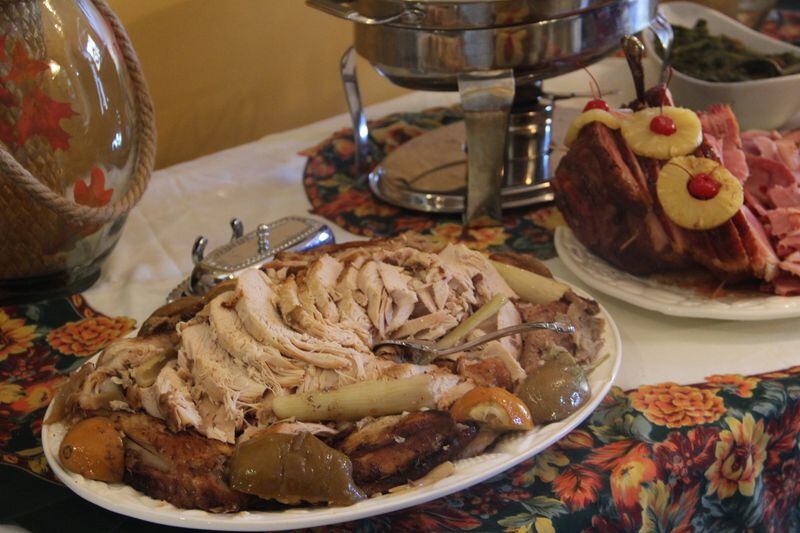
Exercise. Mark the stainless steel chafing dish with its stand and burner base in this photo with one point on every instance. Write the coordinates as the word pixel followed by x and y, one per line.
pixel 495 53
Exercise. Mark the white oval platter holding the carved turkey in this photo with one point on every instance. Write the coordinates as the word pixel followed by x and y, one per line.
pixel 511 450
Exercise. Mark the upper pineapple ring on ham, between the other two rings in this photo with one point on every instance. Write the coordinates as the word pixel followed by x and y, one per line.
pixel 643 141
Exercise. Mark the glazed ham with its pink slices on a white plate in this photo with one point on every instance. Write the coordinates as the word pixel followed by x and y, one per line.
pixel 607 196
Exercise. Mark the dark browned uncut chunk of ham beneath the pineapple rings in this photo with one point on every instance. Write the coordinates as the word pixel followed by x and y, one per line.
pixel 607 196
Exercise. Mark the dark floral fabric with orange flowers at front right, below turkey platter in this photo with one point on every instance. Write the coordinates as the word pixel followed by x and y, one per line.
pixel 621 471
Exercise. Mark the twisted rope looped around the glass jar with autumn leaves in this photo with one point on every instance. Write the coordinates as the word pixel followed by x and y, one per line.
pixel 145 147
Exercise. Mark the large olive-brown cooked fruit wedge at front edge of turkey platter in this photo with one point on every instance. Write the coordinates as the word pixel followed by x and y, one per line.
pixel 293 468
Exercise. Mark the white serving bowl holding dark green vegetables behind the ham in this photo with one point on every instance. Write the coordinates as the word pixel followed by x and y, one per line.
pixel 758 104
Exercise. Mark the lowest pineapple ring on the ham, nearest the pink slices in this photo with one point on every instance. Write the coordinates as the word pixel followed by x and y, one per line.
pixel 692 213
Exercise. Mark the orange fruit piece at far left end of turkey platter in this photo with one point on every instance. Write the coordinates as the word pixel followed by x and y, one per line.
pixel 93 448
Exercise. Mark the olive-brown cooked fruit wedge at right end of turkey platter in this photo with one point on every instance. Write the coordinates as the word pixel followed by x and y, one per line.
pixel 555 390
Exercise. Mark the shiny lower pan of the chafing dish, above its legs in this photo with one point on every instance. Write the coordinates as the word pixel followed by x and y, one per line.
pixel 431 59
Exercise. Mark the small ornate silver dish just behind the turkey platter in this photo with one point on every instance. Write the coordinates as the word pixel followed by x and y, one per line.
pixel 251 250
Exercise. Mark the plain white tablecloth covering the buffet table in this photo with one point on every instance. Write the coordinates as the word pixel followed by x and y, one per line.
pixel 262 181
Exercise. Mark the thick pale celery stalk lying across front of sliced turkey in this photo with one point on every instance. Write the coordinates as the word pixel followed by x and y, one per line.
pixel 356 401
